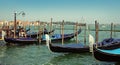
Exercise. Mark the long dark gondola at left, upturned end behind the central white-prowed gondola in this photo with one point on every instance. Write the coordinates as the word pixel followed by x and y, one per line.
pixel 30 40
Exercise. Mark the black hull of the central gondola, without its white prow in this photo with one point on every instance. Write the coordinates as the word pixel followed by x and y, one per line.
pixel 67 49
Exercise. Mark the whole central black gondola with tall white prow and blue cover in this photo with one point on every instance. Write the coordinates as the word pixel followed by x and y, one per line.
pixel 66 48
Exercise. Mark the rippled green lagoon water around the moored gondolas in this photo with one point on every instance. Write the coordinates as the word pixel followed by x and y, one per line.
pixel 41 55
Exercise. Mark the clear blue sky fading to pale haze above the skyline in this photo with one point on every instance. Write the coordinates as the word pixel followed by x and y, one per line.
pixel 87 11
